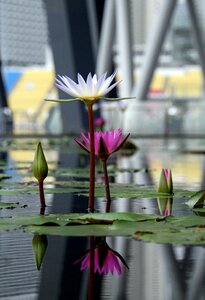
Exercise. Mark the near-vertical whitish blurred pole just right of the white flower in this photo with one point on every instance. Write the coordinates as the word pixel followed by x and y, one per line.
pixel 124 46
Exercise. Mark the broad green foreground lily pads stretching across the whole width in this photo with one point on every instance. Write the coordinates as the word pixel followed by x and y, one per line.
pixel 150 228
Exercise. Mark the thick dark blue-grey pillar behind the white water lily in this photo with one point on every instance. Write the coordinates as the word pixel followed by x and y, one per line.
pixel 72 50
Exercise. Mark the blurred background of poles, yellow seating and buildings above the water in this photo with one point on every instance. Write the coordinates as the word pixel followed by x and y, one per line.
pixel 156 46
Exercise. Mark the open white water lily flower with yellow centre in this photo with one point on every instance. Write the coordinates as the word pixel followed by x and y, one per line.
pixel 89 90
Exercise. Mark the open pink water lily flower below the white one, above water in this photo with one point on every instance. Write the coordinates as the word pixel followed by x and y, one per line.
pixel 105 142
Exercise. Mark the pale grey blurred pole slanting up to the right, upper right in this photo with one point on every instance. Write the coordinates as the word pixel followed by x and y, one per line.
pixel 153 48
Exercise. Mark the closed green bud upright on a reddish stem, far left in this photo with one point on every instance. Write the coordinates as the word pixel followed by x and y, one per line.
pixel 40 167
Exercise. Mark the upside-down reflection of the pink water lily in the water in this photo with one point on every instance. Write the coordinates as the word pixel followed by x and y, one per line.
pixel 106 260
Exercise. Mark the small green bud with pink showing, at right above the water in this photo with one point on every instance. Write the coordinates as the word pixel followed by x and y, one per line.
pixel 165 183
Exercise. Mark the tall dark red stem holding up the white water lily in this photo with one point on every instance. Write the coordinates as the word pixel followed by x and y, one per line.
pixel 92 159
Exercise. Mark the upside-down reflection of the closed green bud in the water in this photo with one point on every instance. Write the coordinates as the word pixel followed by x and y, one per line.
pixel 39 245
